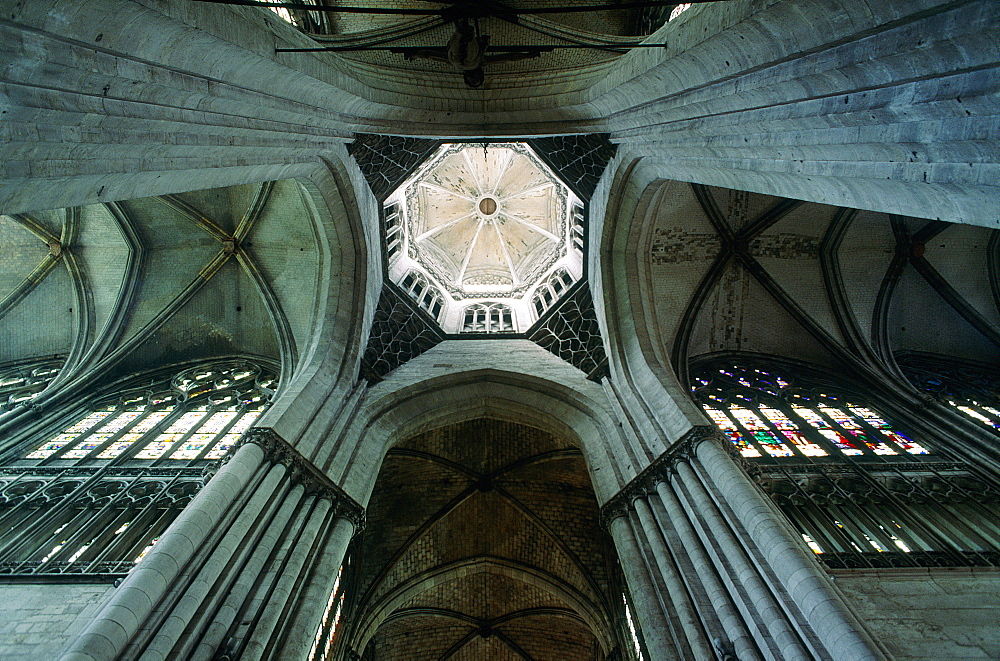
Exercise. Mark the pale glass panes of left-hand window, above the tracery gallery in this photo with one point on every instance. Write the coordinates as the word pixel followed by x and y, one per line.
pixel 197 415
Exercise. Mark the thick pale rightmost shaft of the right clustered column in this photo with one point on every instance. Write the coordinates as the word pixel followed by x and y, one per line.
pixel 836 627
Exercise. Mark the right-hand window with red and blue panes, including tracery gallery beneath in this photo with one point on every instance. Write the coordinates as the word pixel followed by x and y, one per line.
pixel 860 490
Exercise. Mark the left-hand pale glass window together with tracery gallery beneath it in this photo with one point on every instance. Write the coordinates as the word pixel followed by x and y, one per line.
pixel 95 495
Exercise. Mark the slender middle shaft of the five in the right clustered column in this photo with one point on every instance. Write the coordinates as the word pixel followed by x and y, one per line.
pixel 729 619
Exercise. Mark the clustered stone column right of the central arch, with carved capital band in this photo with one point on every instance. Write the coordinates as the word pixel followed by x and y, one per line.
pixel 693 522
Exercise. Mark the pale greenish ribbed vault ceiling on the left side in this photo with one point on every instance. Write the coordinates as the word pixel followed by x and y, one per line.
pixel 147 282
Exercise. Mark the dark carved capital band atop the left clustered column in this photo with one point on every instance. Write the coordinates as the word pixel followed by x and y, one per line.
pixel 301 471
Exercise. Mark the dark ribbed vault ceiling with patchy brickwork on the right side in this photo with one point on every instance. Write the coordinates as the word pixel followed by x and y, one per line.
pixel 734 271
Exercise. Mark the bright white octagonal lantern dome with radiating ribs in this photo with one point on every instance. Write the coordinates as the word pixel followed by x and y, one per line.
pixel 485 225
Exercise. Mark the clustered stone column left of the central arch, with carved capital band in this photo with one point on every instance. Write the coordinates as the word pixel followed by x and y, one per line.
pixel 223 579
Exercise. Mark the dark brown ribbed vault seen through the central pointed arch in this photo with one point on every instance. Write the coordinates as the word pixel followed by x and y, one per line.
pixel 483 543
